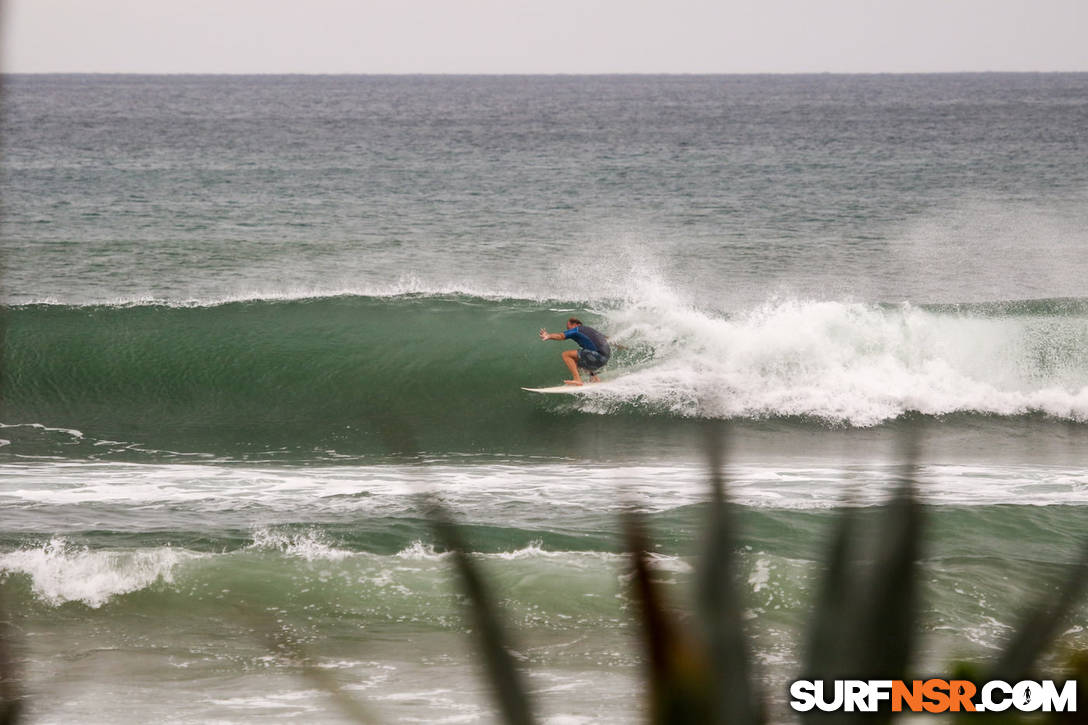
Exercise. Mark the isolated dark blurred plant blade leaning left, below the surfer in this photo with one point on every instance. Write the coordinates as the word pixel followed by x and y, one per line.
pixel 503 672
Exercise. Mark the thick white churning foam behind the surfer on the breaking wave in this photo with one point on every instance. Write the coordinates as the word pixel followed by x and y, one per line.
pixel 847 363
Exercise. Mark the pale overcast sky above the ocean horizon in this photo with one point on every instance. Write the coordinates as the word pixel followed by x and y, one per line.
pixel 543 36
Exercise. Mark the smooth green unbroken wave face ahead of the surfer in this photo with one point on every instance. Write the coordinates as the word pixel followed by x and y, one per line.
pixel 353 374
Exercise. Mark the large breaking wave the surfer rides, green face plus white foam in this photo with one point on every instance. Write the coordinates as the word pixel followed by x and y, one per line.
pixel 356 373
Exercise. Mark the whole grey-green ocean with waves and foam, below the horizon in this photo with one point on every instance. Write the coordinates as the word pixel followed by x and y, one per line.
pixel 250 323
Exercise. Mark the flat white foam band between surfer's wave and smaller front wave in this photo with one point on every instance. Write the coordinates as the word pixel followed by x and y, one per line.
pixel 137 490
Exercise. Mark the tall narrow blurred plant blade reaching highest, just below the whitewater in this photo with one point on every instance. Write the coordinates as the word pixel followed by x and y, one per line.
pixel 737 699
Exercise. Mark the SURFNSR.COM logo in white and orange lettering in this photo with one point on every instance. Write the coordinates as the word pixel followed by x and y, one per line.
pixel 933 696
